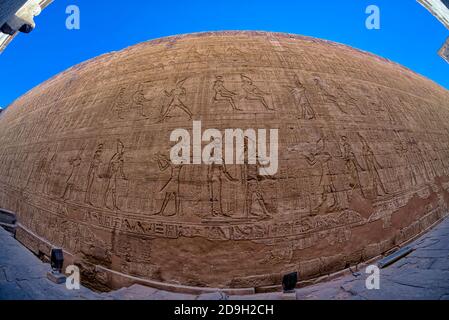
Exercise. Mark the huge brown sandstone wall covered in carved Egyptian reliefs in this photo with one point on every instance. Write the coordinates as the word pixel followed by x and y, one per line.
pixel 364 160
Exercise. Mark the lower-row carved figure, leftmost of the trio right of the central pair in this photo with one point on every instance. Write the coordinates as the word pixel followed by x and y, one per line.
pixel 328 192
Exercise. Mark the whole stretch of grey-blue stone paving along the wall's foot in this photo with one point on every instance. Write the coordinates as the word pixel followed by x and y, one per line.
pixel 423 274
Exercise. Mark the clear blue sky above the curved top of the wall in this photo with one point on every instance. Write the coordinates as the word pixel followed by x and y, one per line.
pixel 409 34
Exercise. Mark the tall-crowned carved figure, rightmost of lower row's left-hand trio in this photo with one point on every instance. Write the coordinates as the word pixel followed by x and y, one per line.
pixel 114 173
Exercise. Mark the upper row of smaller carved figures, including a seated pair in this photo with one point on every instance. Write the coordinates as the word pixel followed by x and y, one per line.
pixel 299 92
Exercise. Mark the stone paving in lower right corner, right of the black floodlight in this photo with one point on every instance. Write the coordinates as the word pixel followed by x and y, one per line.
pixel 423 274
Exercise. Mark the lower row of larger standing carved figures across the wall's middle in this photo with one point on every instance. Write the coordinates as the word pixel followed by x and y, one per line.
pixel 418 169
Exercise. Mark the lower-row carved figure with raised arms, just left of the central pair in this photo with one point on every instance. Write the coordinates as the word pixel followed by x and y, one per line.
pixel 171 187
